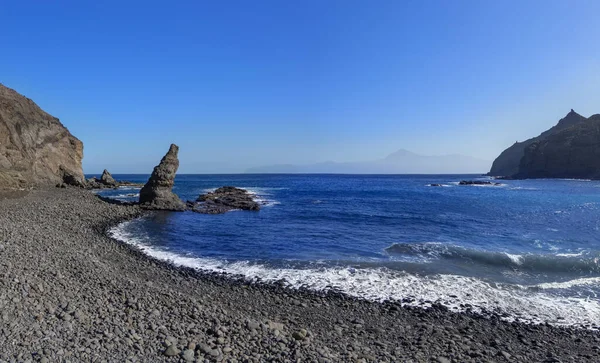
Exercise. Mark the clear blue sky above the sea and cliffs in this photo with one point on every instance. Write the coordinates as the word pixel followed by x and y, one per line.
pixel 245 83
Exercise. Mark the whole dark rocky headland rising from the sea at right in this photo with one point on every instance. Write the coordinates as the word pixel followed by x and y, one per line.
pixel 571 149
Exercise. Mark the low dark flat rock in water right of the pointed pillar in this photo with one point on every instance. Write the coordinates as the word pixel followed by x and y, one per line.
pixel 223 200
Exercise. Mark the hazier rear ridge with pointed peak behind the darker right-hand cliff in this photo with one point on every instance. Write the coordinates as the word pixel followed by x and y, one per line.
pixel 509 162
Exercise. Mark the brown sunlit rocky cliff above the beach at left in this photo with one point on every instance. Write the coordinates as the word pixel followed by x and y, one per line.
pixel 35 148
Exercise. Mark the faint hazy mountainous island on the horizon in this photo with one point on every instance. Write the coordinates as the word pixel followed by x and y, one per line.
pixel 399 162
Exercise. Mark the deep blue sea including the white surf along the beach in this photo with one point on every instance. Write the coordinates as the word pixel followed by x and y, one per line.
pixel 527 249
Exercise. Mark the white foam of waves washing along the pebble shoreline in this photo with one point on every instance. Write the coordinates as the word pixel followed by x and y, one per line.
pixel 528 303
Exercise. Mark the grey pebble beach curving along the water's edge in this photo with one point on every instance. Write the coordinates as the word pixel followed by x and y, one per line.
pixel 68 293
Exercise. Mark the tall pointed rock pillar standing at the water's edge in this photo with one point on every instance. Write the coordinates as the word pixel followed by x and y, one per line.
pixel 158 191
